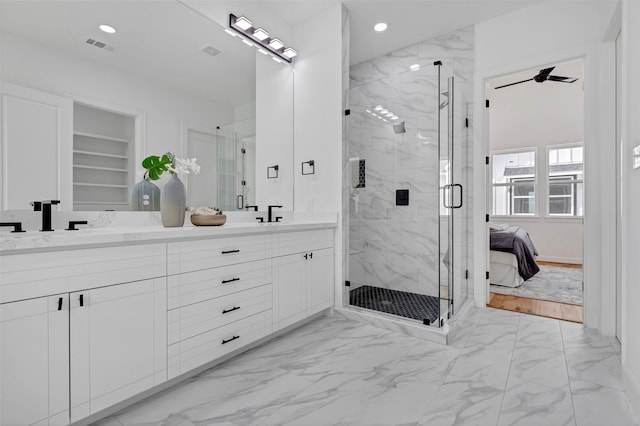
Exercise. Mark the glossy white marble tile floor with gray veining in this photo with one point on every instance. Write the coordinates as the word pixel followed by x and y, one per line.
pixel 506 368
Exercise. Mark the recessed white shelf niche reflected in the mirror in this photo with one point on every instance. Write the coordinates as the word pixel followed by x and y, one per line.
pixel 102 158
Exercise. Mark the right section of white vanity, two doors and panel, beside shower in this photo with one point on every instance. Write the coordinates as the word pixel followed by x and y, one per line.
pixel 303 275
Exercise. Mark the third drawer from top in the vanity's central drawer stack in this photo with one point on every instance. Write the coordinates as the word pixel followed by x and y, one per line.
pixel 189 321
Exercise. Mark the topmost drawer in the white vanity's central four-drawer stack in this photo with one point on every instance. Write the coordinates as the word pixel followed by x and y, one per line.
pixel 190 256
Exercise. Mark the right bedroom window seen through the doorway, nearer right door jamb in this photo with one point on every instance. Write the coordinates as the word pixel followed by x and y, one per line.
pixel 566 177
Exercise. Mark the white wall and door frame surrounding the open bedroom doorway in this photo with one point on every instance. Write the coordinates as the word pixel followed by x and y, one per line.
pixel 546 33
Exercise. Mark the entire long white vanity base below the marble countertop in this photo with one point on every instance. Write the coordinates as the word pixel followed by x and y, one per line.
pixel 82 330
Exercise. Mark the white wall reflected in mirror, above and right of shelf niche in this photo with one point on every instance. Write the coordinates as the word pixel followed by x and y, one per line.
pixel 164 109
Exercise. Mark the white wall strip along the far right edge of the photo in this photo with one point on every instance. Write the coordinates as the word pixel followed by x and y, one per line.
pixel 631 202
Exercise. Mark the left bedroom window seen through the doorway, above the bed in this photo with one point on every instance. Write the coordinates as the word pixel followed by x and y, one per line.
pixel 514 183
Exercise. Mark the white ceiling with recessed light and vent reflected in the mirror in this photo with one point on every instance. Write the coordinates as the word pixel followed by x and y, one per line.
pixel 159 41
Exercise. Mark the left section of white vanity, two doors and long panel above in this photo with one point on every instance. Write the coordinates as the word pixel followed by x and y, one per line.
pixel 98 336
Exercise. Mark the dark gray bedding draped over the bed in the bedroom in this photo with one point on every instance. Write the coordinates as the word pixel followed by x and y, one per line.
pixel 516 240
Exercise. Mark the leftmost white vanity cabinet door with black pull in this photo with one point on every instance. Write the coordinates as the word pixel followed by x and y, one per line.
pixel 34 361
